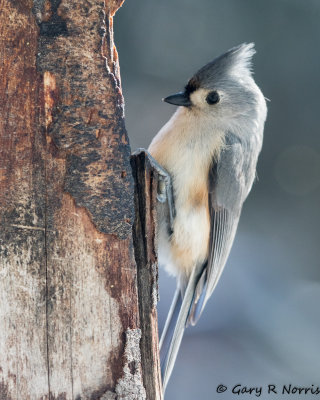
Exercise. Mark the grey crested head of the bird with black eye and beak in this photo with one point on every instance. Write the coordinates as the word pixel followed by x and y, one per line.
pixel 223 88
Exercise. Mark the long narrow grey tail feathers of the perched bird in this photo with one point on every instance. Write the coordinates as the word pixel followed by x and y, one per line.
pixel 174 328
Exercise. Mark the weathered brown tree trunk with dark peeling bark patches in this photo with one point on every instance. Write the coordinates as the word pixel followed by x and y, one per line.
pixel 69 304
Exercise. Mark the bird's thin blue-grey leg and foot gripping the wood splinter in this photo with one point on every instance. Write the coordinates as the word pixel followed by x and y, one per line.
pixel 165 188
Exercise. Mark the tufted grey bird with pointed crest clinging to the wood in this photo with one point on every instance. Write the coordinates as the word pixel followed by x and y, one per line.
pixel 207 152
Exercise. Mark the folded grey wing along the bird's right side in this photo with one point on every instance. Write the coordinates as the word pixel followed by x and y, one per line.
pixel 230 181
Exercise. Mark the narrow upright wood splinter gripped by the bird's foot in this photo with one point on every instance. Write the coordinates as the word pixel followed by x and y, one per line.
pixel 145 244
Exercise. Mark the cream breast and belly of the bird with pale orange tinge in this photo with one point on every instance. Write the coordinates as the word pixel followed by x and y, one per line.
pixel 178 149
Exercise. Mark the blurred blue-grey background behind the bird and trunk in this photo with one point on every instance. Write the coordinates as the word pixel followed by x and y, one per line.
pixel 262 324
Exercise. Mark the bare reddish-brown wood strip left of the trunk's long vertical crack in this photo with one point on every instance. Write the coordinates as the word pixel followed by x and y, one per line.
pixel 23 338
